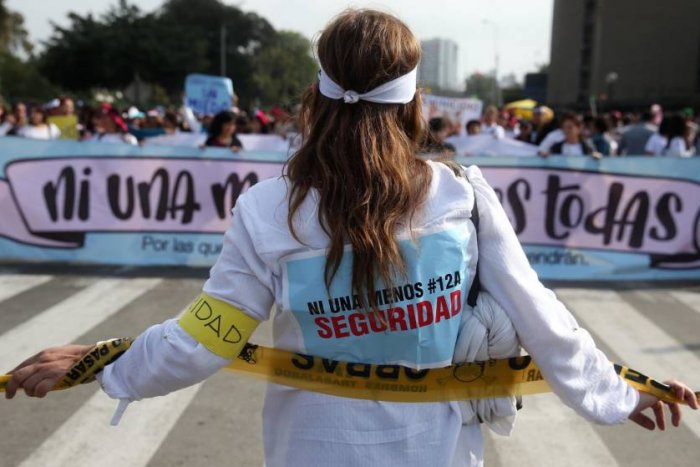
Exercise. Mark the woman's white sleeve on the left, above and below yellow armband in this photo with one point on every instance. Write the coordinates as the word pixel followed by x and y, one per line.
pixel 165 358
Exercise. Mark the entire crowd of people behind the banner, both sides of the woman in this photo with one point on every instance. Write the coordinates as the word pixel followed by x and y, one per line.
pixel 651 132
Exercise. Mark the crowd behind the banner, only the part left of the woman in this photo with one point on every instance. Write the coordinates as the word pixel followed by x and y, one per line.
pixel 63 119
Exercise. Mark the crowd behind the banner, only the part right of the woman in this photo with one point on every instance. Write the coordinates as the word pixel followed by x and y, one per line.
pixel 651 132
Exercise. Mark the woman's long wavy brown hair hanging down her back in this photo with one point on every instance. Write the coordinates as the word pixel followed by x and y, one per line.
pixel 361 157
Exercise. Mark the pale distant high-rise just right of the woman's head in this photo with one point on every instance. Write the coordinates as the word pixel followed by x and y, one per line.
pixel 438 66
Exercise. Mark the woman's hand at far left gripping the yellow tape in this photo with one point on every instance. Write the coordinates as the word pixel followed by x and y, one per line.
pixel 40 373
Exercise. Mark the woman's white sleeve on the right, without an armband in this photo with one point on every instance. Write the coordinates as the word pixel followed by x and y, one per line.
pixel 577 371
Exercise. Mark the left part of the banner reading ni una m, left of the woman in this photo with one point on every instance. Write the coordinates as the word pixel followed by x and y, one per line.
pixel 120 204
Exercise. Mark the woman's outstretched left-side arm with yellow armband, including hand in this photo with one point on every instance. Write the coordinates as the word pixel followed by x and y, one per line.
pixel 179 352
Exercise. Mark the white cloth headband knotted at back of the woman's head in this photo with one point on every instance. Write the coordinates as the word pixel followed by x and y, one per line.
pixel 397 91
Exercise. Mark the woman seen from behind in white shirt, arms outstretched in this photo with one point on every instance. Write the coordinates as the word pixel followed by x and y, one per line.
pixel 356 182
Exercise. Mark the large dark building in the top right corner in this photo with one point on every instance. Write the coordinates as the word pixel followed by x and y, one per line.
pixel 625 53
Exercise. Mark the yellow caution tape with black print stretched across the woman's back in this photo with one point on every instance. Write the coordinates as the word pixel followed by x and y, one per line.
pixel 393 383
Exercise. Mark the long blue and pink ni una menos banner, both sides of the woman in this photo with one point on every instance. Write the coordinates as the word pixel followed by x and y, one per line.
pixel 578 219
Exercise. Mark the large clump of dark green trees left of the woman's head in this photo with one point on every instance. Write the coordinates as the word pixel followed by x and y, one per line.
pixel 181 37
